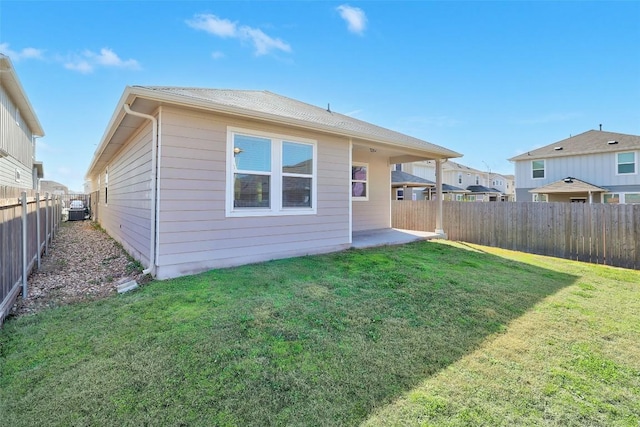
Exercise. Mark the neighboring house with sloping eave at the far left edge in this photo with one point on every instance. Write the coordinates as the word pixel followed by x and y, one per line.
pixel 19 127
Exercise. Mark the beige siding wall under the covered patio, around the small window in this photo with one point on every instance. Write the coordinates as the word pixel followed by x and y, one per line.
pixel 376 212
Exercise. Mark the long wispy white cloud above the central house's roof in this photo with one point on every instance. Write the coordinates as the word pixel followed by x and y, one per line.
pixel 262 43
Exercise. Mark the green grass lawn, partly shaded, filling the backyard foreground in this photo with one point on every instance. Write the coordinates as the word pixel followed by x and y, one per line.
pixel 431 333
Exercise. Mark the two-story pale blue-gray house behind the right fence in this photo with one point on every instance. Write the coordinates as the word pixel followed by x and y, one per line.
pixel 594 167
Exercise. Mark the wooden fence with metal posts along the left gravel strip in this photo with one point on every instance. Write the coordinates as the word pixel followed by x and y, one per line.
pixel 27 226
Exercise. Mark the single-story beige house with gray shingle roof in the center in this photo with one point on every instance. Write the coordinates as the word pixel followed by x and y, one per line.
pixel 194 179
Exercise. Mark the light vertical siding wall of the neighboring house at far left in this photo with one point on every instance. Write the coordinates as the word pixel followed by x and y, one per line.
pixel 16 139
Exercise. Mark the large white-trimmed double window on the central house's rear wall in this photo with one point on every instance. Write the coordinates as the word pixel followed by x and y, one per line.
pixel 270 174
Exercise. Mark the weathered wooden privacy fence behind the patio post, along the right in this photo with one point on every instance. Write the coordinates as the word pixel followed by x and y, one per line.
pixel 597 233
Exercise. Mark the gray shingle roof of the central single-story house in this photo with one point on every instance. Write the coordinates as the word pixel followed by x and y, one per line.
pixel 271 105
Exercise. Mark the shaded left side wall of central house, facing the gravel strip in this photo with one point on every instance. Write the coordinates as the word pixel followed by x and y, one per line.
pixel 127 214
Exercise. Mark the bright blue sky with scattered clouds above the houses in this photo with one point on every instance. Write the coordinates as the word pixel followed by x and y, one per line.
pixel 487 79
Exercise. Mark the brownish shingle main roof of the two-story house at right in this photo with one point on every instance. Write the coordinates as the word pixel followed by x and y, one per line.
pixel 590 142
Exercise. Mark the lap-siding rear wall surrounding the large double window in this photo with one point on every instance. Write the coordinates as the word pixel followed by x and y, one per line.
pixel 196 235
